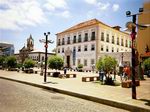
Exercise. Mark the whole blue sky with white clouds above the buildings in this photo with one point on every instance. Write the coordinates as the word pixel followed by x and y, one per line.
pixel 20 18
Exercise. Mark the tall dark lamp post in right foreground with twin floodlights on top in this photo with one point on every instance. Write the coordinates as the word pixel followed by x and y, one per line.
pixel 132 27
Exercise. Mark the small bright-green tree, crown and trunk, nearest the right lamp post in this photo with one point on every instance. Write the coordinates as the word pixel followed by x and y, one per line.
pixel 107 64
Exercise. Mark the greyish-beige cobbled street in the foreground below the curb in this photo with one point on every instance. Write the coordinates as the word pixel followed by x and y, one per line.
pixel 17 97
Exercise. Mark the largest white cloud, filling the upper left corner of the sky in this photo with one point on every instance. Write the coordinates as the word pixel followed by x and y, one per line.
pixel 20 13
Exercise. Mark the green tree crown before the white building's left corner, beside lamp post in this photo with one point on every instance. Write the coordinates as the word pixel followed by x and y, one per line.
pixel 55 62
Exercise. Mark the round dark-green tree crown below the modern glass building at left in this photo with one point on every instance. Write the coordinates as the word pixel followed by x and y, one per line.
pixel 11 61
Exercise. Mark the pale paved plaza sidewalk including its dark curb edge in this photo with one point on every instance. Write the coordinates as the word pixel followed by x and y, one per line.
pixel 110 95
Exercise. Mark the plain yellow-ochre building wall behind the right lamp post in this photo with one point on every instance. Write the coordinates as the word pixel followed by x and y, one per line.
pixel 143 35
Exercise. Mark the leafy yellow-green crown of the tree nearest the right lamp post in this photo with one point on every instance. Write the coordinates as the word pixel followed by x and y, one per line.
pixel 106 63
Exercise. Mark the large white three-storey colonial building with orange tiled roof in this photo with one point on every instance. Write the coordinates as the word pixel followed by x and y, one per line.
pixel 85 42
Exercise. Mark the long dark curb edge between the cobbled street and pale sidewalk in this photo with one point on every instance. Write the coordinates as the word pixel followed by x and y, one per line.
pixel 120 105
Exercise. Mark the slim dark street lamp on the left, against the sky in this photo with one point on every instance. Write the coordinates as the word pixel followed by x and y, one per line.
pixel 46 41
